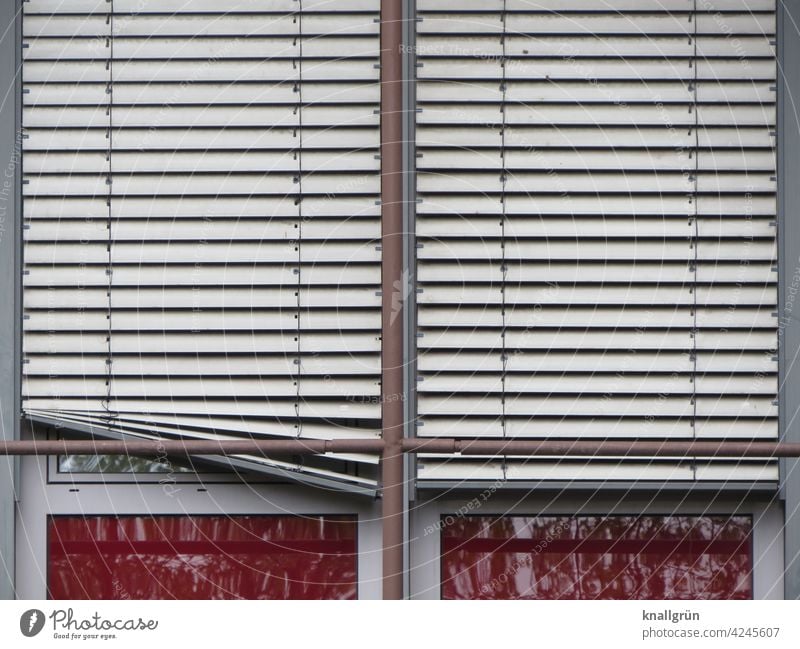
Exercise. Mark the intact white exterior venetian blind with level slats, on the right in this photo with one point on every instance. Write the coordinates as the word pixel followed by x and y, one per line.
pixel 596 230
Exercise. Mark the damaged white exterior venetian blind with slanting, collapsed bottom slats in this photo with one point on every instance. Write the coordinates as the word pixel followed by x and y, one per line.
pixel 202 220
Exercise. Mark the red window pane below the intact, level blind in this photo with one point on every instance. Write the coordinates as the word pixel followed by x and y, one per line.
pixel 596 557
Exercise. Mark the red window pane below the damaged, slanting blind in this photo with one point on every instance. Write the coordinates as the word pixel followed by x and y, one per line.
pixel 202 557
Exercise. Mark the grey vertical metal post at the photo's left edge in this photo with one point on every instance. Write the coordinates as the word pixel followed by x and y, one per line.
pixel 10 260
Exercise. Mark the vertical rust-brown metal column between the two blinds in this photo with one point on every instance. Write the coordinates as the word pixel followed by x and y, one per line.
pixel 393 294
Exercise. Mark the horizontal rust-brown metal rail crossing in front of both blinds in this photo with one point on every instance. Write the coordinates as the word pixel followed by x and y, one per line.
pixel 484 447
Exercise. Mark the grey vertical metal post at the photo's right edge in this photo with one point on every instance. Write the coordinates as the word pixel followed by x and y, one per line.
pixel 788 144
